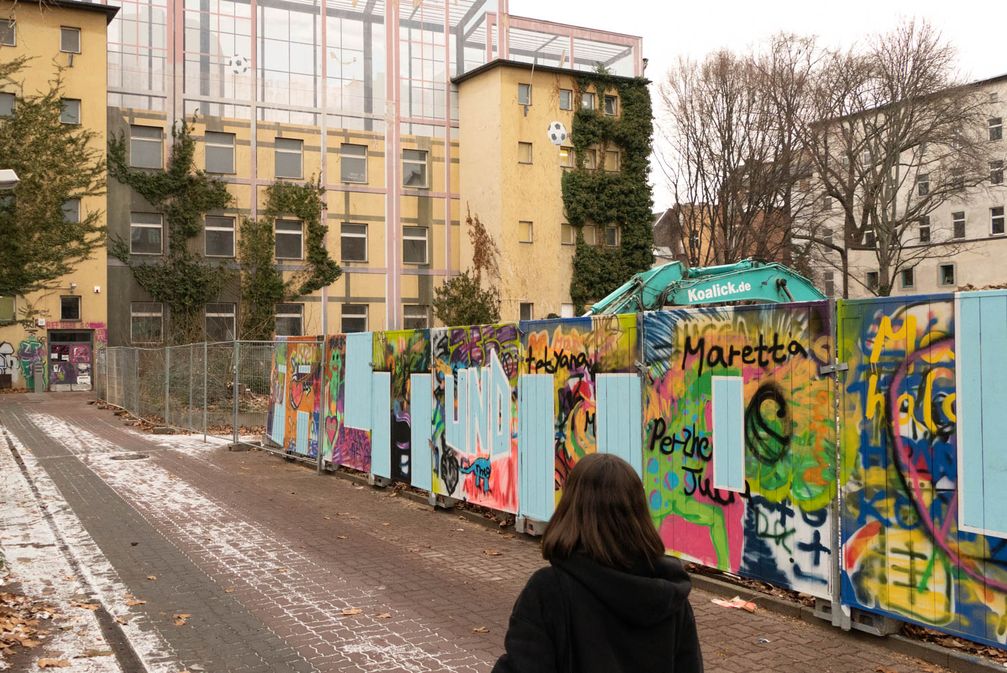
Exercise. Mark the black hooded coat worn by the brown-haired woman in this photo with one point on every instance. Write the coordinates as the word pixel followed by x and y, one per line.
pixel 580 617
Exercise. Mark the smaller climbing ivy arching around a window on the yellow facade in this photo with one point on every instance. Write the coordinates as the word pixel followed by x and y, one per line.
pixel 262 284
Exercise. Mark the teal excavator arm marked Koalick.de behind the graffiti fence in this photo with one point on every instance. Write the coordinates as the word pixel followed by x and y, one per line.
pixel 675 286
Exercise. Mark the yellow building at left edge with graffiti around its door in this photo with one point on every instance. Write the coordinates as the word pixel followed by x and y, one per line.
pixel 69 321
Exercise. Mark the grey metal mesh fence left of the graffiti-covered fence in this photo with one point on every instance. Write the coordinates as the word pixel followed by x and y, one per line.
pixel 219 389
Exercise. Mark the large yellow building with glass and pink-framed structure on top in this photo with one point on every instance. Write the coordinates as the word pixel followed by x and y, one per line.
pixel 397 108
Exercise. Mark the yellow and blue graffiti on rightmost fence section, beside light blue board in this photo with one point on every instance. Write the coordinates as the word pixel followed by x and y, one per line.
pixel 904 553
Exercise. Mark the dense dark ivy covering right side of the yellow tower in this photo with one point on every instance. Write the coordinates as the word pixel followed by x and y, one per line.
pixel 602 198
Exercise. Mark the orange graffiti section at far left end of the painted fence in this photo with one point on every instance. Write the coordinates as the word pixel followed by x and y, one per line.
pixel 293 421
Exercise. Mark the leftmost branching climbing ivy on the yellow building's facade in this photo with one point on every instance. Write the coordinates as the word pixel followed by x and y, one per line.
pixel 183 280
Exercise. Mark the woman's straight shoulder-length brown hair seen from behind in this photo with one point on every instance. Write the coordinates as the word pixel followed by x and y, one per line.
pixel 604 514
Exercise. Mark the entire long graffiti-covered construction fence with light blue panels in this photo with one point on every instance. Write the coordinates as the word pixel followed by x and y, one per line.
pixel 853 453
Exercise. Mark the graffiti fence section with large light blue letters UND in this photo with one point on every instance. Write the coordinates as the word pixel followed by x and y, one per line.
pixel 475 435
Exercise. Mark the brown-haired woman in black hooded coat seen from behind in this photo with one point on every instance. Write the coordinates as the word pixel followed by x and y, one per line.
pixel 611 601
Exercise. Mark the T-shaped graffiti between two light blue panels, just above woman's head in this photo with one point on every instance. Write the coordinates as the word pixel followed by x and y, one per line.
pixel 576 352
